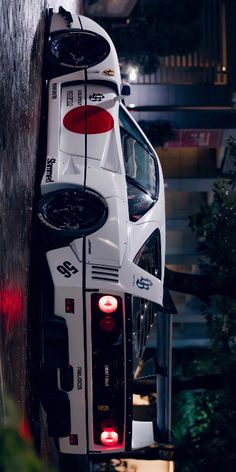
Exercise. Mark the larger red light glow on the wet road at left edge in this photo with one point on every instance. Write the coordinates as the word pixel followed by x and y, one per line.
pixel 11 307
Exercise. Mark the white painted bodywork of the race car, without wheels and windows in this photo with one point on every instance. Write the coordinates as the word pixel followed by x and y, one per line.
pixel 117 242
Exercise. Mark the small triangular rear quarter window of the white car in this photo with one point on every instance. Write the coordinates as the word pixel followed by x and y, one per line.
pixel 149 256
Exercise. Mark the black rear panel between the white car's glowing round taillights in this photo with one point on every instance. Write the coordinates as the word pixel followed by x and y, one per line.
pixel 108 369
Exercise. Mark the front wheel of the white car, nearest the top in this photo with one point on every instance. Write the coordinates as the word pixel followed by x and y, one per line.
pixel 76 49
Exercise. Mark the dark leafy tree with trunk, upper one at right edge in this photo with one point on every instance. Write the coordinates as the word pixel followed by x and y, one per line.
pixel 215 227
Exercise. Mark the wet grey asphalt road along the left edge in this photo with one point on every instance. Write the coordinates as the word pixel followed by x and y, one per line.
pixel 21 59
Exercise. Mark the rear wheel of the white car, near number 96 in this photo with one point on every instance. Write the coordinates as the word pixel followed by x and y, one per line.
pixel 71 213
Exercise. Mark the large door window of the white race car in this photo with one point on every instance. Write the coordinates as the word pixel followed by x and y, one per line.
pixel 140 167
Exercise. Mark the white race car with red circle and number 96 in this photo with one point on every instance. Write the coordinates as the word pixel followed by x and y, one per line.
pixel 102 215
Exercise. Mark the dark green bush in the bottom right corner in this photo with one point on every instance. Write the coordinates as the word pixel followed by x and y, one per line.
pixel 203 417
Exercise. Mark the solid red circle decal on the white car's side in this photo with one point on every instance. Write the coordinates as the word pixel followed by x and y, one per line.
pixel 90 119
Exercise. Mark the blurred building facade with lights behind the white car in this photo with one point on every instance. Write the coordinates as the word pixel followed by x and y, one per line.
pixel 196 94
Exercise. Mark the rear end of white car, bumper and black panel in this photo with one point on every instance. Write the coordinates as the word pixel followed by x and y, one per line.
pixel 86 380
